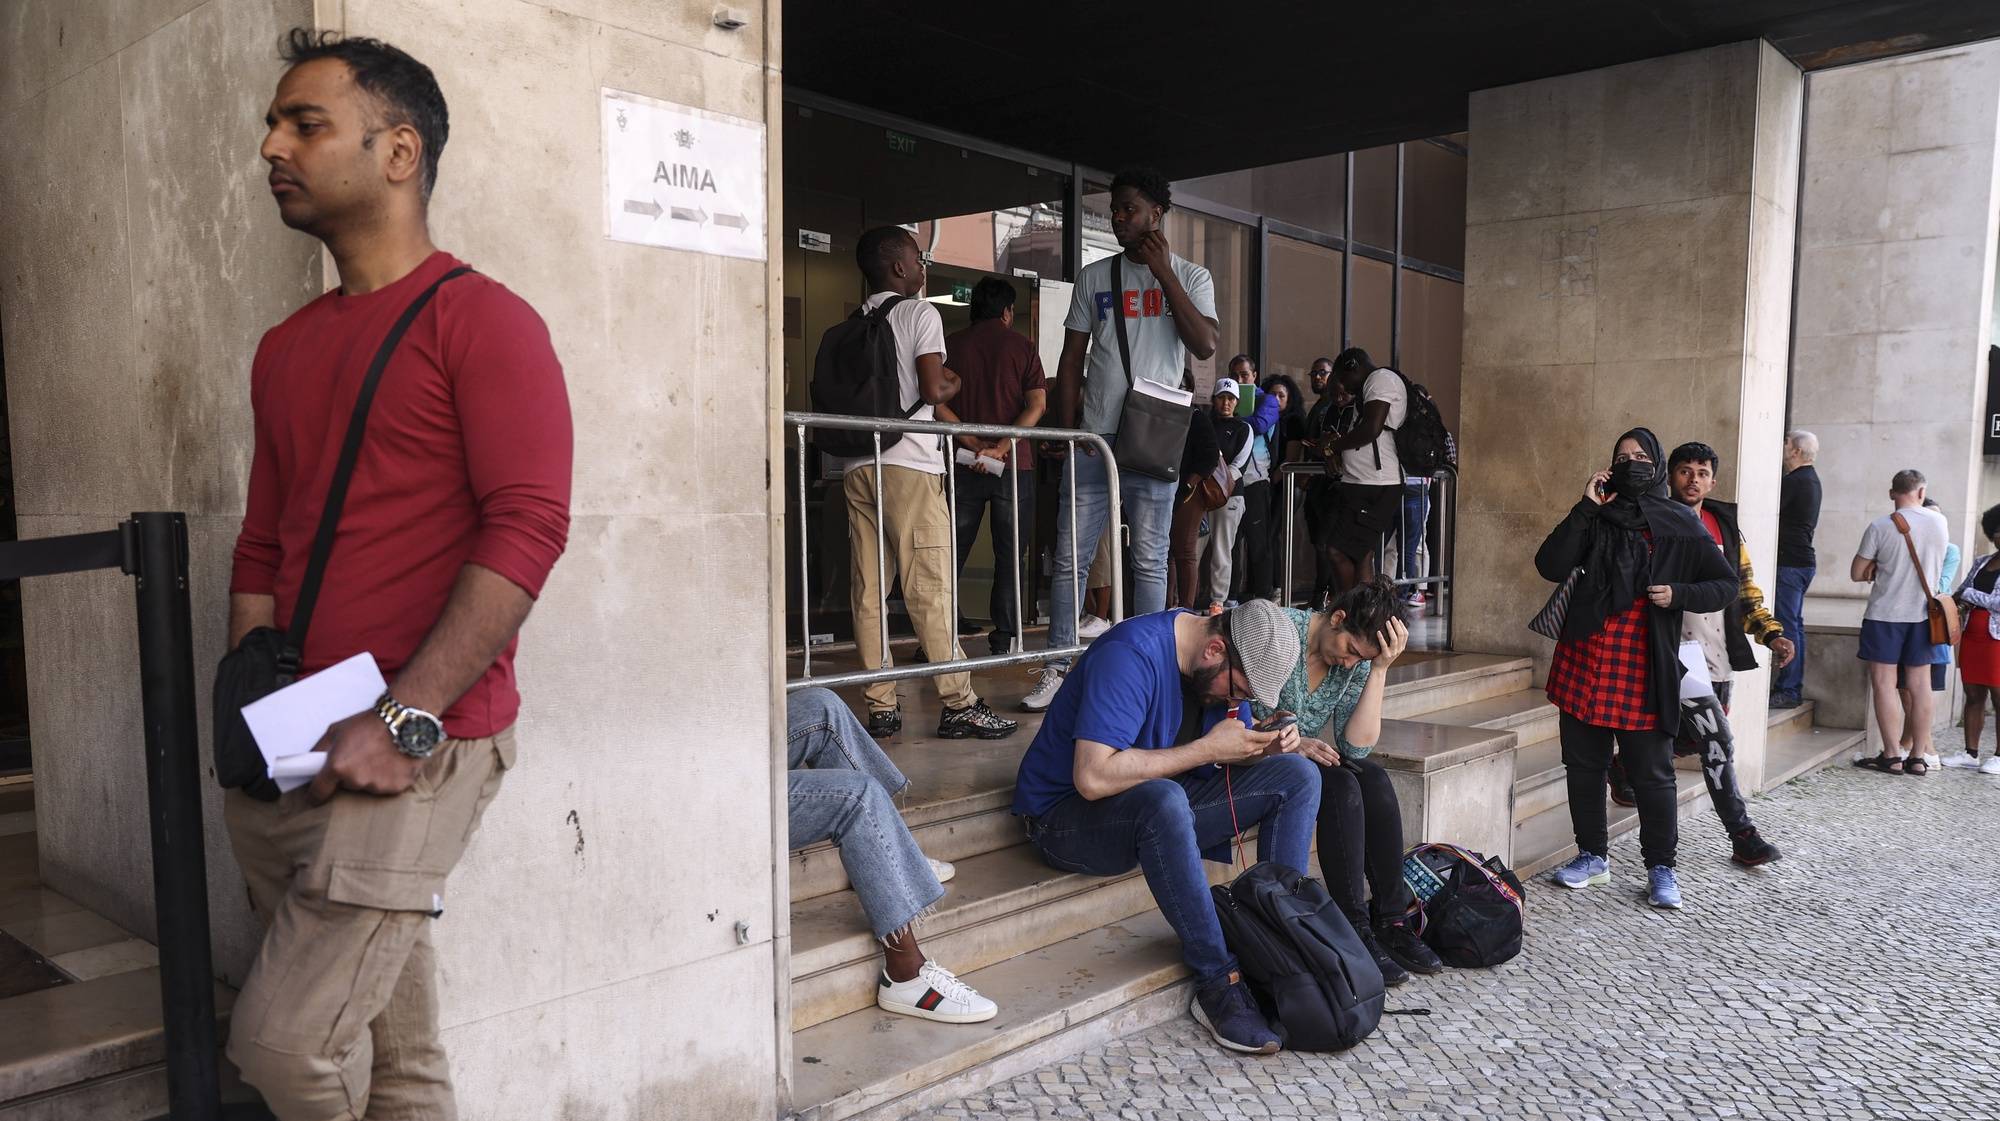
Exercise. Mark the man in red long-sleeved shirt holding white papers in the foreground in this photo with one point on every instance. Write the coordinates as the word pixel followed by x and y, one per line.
pixel 455 517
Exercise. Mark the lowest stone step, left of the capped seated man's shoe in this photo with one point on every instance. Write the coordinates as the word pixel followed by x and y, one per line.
pixel 1055 1002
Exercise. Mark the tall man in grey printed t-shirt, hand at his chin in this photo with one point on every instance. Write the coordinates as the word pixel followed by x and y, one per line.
pixel 1169 311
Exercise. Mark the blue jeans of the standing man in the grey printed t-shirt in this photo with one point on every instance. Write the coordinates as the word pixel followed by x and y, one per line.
pixel 1149 505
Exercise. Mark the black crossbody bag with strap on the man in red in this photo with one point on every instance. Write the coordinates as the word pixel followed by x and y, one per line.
pixel 269 660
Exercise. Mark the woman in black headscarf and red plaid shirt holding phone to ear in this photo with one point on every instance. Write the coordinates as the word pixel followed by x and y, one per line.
pixel 1639 562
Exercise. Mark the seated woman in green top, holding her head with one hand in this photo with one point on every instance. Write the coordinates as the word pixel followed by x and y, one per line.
pixel 1337 696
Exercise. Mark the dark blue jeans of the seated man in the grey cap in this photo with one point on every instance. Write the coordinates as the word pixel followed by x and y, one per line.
pixel 1163 828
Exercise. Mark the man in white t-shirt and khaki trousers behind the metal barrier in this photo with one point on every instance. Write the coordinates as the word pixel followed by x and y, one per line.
pixel 917 523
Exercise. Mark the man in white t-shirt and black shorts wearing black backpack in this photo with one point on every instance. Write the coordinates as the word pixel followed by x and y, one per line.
pixel 1369 495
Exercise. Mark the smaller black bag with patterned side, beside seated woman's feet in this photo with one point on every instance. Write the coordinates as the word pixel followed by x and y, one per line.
pixel 1471 904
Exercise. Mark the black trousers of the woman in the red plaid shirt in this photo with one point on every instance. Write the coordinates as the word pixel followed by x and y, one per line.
pixel 1649 762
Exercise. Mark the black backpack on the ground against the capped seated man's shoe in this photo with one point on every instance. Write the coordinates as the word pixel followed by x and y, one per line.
pixel 1305 964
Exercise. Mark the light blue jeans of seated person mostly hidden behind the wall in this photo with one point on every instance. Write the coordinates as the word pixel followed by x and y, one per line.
pixel 841 788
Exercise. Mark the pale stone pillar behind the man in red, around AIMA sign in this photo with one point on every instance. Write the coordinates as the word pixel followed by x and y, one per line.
pixel 591 956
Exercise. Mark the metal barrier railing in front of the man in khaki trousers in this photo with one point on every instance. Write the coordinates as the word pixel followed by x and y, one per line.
pixel 1019 656
